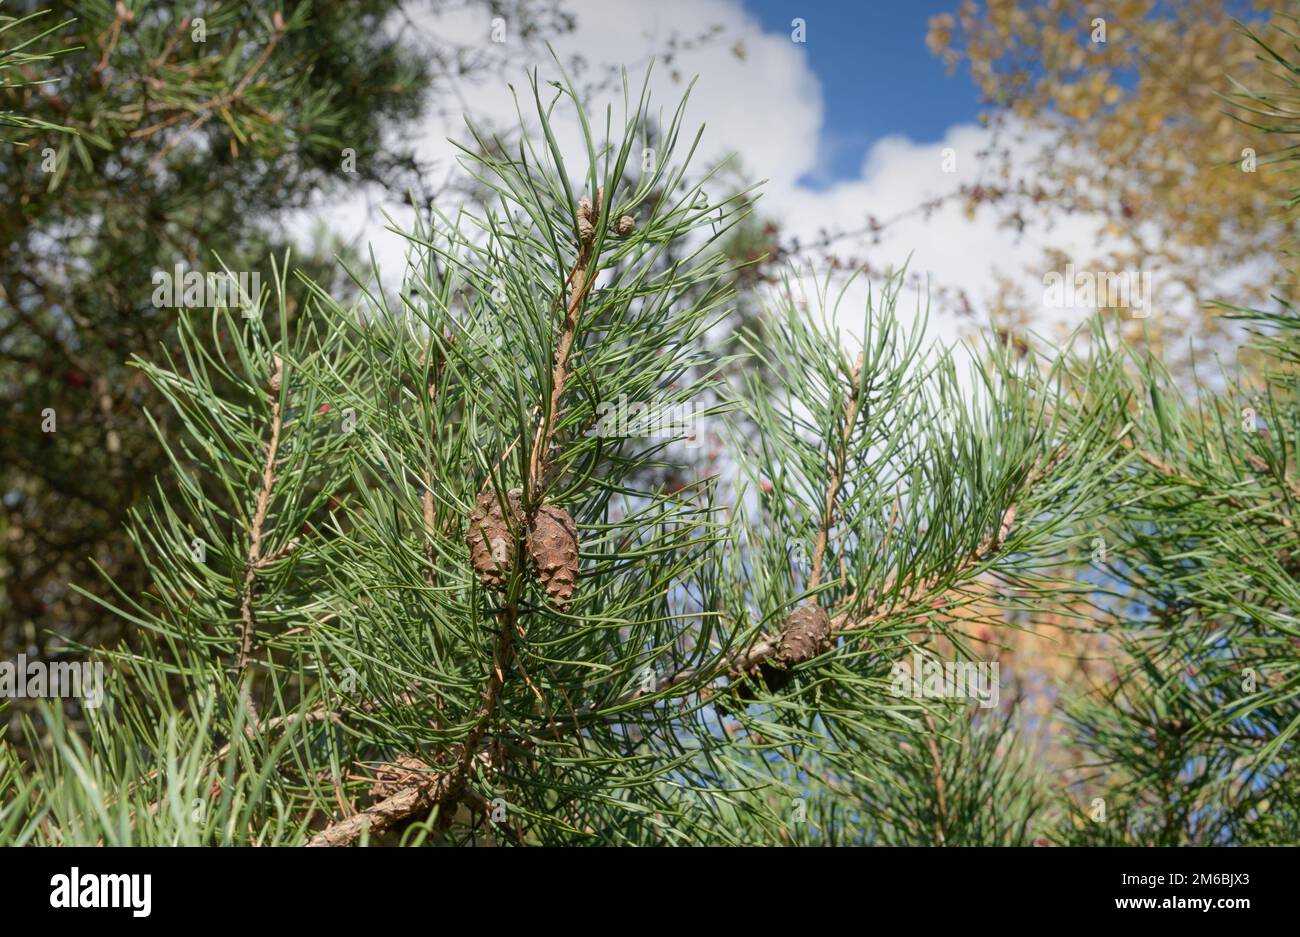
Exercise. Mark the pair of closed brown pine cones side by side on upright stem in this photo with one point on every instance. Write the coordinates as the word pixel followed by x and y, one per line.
pixel 552 544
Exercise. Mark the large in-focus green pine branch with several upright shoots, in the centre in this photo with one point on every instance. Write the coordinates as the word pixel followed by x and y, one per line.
pixel 591 718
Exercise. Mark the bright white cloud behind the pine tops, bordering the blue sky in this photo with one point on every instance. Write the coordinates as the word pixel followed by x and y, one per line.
pixel 768 109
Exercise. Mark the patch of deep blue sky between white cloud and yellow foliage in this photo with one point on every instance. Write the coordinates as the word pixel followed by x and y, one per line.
pixel 878 77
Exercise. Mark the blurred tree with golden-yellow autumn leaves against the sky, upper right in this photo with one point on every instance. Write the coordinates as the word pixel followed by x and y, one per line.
pixel 1120 114
